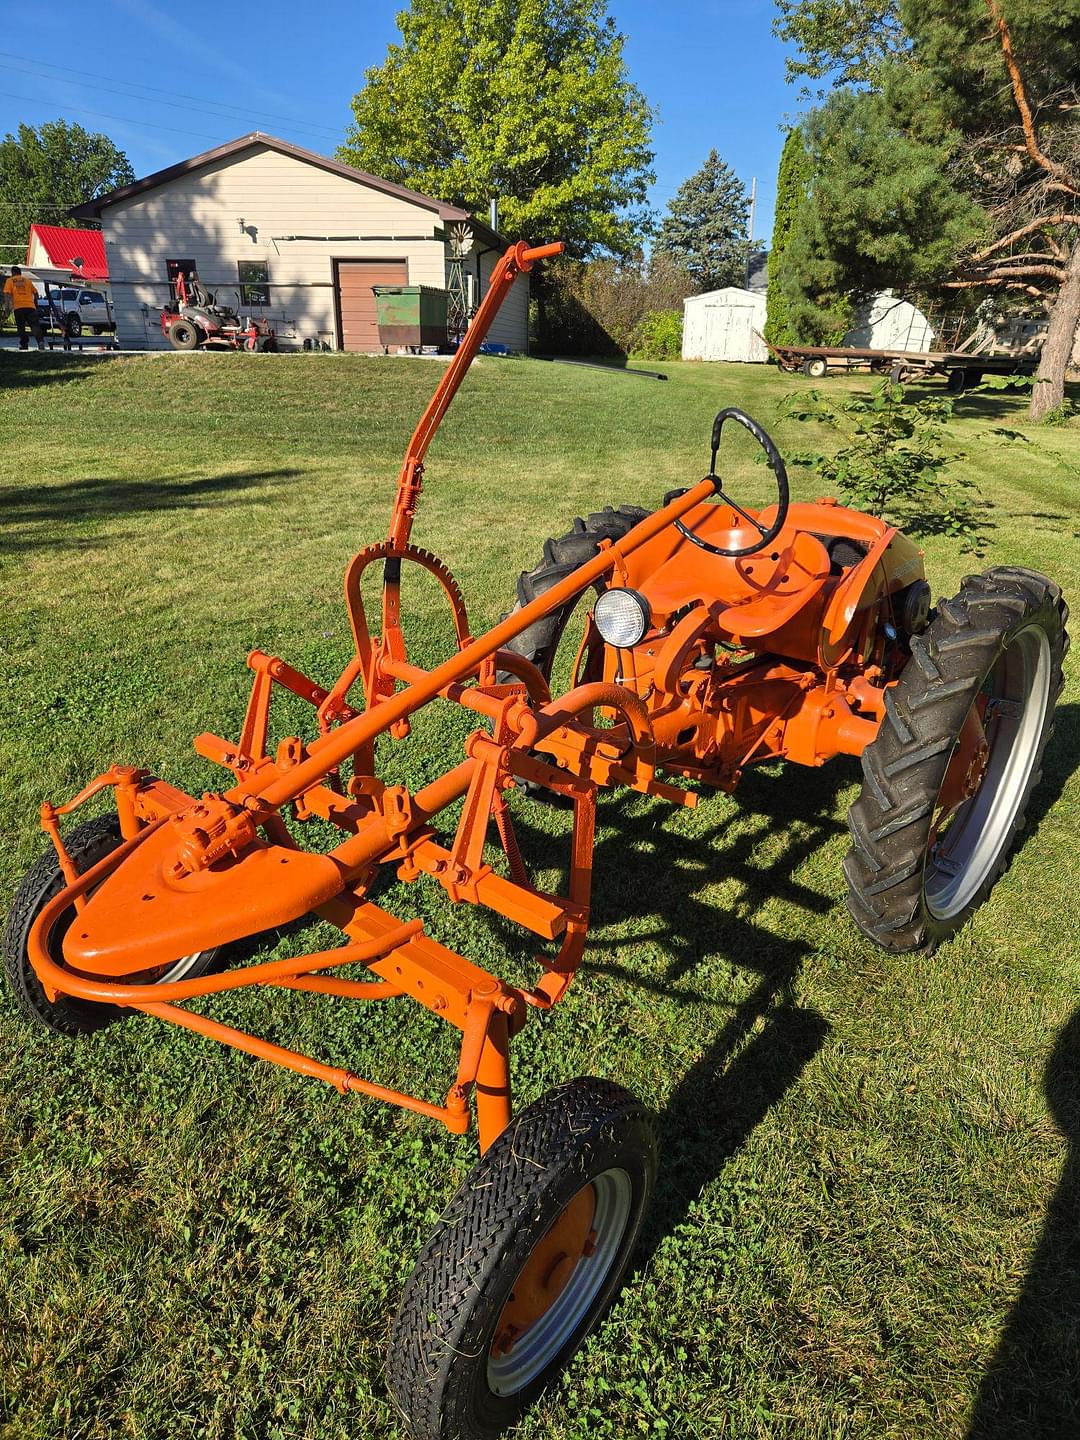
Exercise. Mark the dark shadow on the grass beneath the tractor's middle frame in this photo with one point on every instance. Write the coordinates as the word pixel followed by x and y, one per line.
pixel 767 1038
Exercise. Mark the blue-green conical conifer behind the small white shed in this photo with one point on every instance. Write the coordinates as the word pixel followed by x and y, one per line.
pixel 705 230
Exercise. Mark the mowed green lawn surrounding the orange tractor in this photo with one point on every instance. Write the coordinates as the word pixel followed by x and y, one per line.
pixel 869 1205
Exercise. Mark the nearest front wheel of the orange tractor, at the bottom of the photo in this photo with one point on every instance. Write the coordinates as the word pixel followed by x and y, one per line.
pixel 525 1262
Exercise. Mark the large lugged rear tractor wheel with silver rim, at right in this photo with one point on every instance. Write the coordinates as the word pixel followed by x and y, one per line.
pixel 950 775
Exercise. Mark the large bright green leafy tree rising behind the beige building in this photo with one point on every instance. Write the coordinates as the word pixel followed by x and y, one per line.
pixel 528 102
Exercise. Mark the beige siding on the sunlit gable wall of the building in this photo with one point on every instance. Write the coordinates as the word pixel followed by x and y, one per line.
pixel 241 210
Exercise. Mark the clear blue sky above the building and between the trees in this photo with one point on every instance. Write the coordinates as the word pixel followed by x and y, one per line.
pixel 711 68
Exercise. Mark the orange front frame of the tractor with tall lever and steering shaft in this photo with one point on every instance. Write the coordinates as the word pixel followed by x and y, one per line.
pixel 384 824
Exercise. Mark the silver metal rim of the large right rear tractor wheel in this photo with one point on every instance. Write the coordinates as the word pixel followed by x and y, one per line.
pixel 974 837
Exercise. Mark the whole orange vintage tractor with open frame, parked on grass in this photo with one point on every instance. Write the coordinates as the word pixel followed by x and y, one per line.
pixel 718 637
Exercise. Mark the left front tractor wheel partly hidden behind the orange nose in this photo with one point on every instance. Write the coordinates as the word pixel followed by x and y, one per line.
pixel 87 845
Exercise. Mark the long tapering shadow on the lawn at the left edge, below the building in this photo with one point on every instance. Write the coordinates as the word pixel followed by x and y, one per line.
pixel 47 518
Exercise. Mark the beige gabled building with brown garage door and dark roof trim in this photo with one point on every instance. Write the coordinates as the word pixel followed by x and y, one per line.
pixel 289 235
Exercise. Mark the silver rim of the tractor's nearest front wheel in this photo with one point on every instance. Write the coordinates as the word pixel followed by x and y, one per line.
pixel 535 1350
